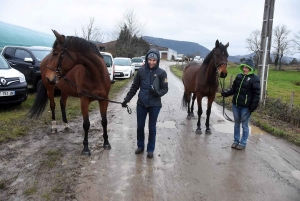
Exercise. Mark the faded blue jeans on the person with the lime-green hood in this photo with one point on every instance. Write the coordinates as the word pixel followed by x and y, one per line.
pixel 241 116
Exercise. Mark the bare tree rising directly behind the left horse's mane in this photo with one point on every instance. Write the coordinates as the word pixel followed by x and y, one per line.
pixel 91 33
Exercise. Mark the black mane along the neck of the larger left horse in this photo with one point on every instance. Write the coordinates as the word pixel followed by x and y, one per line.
pixel 77 43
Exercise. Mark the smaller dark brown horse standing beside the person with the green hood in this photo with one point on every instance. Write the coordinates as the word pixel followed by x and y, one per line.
pixel 203 80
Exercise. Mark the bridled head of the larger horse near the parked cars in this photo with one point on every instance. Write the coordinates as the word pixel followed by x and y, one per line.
pixel 61 59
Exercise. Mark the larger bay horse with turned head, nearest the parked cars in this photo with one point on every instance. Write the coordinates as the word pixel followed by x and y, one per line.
pixel 77 68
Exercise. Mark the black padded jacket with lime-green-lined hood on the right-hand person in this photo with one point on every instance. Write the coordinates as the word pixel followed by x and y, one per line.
pixel 245 88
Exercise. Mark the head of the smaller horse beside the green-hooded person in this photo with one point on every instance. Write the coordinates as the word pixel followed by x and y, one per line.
pixel 220 56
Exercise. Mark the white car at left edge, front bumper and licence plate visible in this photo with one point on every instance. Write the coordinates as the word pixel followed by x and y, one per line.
pixel 13 86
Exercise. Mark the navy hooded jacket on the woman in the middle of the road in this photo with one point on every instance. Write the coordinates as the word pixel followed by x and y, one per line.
pixel 143 81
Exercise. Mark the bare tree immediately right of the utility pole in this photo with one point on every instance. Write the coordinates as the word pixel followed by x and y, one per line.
pixel 281 44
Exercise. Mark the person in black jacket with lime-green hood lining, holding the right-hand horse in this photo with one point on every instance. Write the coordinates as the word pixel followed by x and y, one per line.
pixel 246 96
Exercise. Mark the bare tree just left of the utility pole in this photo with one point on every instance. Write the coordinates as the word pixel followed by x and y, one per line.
pixel 253 44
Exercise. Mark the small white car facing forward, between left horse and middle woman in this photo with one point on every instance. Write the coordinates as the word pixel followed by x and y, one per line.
pixel 123 67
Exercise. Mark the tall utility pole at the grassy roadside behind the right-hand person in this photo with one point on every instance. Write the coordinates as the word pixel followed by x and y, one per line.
pixel 265 46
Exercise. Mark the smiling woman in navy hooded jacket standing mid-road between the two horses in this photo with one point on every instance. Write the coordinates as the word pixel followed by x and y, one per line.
pixel 149 99
